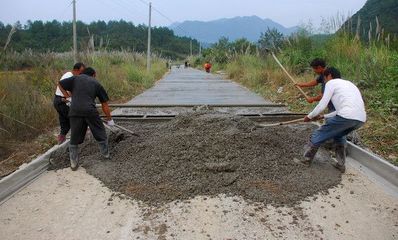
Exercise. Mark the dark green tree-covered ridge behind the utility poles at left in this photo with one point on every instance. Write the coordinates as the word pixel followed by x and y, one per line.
pixel 113 35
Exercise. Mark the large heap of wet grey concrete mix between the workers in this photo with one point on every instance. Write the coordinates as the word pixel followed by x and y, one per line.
pixel 209 154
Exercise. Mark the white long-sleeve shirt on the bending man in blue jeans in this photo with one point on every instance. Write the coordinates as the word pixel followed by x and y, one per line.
pixel 346 98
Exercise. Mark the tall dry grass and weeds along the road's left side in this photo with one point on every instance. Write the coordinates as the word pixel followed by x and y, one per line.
pixel 27 116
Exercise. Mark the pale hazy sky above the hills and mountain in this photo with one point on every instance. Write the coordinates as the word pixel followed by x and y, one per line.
pixel 287 12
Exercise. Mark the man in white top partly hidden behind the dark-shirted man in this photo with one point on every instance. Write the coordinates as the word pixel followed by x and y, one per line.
pixel 61 103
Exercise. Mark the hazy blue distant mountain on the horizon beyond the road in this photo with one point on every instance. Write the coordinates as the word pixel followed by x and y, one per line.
pixel 232 28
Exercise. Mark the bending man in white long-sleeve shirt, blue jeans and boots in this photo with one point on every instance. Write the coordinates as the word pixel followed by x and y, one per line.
pixel 349 115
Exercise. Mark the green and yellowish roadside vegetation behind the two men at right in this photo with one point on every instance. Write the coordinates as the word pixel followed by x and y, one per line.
pixel 371 66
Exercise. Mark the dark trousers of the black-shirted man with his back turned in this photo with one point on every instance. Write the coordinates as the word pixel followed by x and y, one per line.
pixel 79 128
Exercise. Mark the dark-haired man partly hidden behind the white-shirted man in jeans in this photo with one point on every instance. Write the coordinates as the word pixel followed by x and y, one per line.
pixel 318 66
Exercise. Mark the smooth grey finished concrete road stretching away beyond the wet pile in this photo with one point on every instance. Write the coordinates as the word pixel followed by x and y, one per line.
pixel 190 86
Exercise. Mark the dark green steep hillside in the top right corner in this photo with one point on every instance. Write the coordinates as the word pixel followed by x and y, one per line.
pixel 385 10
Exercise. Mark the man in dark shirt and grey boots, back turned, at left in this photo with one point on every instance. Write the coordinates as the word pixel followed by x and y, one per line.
pixel 83 112
